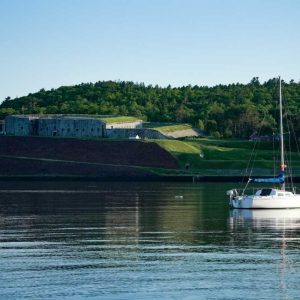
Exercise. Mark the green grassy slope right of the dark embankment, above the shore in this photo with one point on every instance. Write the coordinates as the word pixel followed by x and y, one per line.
pixel 225 157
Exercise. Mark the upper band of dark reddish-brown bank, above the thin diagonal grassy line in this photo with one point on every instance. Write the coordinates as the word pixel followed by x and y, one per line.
pixel 96 151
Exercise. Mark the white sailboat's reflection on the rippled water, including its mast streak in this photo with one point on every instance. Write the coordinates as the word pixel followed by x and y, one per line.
pixel 277 231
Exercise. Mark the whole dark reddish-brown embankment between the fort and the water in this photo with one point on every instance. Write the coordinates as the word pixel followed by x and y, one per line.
pixel 66 157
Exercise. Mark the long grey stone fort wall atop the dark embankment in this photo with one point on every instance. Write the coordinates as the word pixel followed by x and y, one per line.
pixel 76 126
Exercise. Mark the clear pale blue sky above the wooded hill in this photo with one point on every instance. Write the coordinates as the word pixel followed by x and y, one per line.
pixel 49 43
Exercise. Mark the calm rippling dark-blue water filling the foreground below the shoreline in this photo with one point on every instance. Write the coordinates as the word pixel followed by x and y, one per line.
pixel 143 241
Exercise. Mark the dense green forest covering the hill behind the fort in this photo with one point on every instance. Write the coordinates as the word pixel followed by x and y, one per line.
pixel 234 110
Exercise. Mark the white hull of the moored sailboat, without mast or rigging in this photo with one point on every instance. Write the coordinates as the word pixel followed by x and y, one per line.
pixel 291 201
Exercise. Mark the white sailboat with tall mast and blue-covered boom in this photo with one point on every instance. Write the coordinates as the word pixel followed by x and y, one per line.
pixel 269 198
